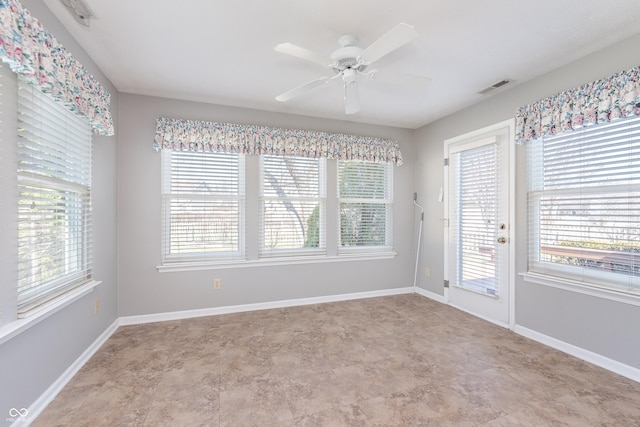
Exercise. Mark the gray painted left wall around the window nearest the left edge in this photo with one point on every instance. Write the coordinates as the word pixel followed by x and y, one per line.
pixel 33 360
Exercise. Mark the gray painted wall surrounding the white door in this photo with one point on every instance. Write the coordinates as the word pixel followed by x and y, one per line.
pixel 604 327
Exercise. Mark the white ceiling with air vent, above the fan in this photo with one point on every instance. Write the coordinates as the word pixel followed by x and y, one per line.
pixel 221 51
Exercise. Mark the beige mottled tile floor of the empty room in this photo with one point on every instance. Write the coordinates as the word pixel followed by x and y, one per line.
pixel 390 361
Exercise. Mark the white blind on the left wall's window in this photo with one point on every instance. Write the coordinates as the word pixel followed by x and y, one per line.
pixel 54 199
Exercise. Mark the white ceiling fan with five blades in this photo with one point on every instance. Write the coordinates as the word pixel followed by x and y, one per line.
pixel 350 62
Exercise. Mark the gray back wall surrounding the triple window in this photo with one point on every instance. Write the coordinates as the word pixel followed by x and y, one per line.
pixel 144 290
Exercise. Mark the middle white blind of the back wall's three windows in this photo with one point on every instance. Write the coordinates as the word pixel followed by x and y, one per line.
pixel 293 194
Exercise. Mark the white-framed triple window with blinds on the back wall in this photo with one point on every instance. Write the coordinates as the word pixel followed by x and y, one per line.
pixel 222 210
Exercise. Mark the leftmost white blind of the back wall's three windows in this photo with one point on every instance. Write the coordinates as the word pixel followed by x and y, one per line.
pixel 203 205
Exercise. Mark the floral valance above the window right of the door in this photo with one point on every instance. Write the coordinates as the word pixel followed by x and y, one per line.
pixel 596 102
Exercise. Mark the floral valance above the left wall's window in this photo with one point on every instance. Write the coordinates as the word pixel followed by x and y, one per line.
pixel 34 53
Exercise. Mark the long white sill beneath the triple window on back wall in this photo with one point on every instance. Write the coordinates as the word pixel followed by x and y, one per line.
pixel 274 261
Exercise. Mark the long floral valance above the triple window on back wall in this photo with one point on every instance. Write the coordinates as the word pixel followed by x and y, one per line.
pixel 192 135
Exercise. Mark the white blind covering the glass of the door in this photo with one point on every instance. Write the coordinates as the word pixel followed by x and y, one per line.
pixel 473 217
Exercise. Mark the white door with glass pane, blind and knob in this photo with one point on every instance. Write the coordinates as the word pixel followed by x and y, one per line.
pixel 478 257
